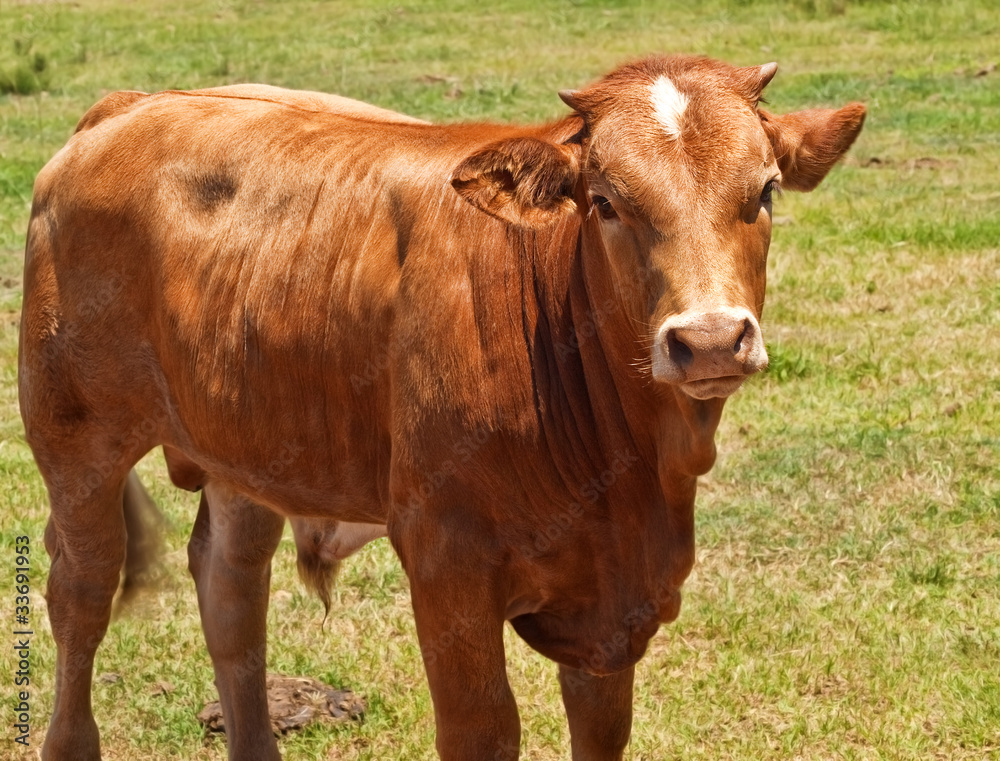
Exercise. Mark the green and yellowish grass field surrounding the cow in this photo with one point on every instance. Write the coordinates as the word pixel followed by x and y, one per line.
pixel 846 599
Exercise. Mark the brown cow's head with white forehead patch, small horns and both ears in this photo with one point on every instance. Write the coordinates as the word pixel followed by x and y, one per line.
pixel 674 173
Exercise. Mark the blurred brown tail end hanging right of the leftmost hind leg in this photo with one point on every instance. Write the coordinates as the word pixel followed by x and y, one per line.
pixel 143 525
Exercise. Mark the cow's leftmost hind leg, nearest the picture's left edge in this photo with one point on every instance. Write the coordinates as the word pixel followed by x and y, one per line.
pixel 85 538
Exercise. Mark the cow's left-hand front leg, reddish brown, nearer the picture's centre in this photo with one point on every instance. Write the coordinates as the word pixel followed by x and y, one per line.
pixel 460 626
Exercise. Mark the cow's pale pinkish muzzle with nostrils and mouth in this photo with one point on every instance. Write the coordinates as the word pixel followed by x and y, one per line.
pixel 709 353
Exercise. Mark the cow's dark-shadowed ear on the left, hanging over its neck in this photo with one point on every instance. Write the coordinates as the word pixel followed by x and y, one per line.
pixel 525 181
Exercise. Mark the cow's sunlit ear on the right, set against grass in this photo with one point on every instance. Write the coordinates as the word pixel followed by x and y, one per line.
pixel 808 143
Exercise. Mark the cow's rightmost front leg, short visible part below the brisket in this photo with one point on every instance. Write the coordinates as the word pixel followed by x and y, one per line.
pixel 599 709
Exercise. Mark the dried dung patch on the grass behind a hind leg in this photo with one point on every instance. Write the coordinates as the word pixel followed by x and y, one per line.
pixel 293 702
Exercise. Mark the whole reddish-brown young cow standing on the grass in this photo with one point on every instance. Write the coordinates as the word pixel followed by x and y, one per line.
pixel 512 345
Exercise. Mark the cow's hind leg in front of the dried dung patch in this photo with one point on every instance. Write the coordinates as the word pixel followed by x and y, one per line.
pixel 229 556
